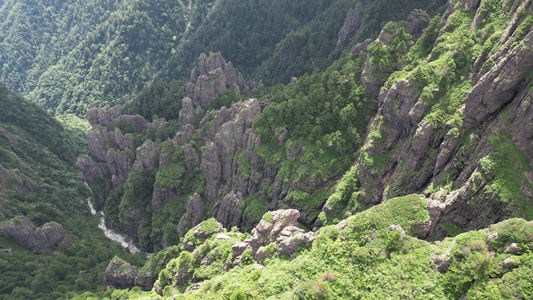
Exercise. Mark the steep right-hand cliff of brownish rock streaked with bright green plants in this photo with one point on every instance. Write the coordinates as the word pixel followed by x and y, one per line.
pixel 453 140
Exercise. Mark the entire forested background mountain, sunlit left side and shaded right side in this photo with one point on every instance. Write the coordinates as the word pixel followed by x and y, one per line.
pixel 68 56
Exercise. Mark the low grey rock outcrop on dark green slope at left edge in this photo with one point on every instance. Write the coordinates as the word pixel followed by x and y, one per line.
pixel 25 233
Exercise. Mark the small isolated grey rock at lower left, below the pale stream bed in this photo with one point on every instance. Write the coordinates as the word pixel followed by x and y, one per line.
pixel 120 274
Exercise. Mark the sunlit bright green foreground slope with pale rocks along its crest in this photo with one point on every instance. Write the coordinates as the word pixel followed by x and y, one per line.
pixel 373 254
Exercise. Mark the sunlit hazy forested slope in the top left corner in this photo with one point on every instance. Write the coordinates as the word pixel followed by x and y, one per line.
pixel 69 56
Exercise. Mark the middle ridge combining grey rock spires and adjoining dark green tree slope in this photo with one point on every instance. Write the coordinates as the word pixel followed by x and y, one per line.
pixel 218 164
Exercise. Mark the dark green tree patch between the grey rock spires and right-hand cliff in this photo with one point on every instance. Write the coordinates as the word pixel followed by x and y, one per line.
pixel 322 117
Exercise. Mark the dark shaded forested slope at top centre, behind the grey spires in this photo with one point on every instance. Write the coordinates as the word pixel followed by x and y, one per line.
pixel 272 41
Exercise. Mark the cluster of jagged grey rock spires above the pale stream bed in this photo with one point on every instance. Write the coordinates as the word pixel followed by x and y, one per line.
pixel 223 162
